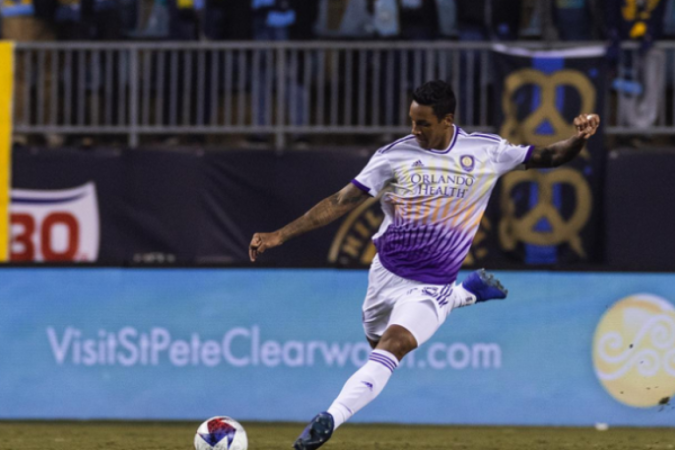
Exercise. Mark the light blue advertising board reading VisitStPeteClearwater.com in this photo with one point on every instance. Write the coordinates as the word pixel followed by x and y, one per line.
pixel 563 349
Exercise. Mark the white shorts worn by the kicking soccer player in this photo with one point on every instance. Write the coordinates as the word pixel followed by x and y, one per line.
pixel 421 308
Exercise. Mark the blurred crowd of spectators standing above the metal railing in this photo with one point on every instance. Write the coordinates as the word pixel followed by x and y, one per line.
pixel 465 20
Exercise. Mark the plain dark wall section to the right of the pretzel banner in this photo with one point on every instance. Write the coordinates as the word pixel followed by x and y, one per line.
pixel 640 209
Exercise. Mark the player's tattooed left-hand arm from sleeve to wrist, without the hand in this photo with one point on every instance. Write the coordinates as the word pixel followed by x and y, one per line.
pixel 325 212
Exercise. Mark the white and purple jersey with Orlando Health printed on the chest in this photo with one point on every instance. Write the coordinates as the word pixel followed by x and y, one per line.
pixel 434 200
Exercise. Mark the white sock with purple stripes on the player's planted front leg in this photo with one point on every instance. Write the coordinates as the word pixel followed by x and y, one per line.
pixel 363 386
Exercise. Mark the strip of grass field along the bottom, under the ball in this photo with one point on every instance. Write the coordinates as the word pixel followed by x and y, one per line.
pixel 41 435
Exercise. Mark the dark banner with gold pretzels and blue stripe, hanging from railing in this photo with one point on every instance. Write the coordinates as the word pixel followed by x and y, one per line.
pixel 550 216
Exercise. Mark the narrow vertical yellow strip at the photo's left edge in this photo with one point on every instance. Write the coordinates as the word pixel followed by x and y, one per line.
pixel 6 97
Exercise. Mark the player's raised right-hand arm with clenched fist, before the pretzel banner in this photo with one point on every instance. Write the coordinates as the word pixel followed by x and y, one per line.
pixel 561 152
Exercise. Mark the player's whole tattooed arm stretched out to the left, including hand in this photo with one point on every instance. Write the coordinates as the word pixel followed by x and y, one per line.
pixel 323 213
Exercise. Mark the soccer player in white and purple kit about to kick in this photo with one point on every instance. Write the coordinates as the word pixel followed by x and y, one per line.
pixel 434 185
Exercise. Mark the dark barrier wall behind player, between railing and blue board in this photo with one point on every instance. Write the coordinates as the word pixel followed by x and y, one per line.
pixel 194 207
